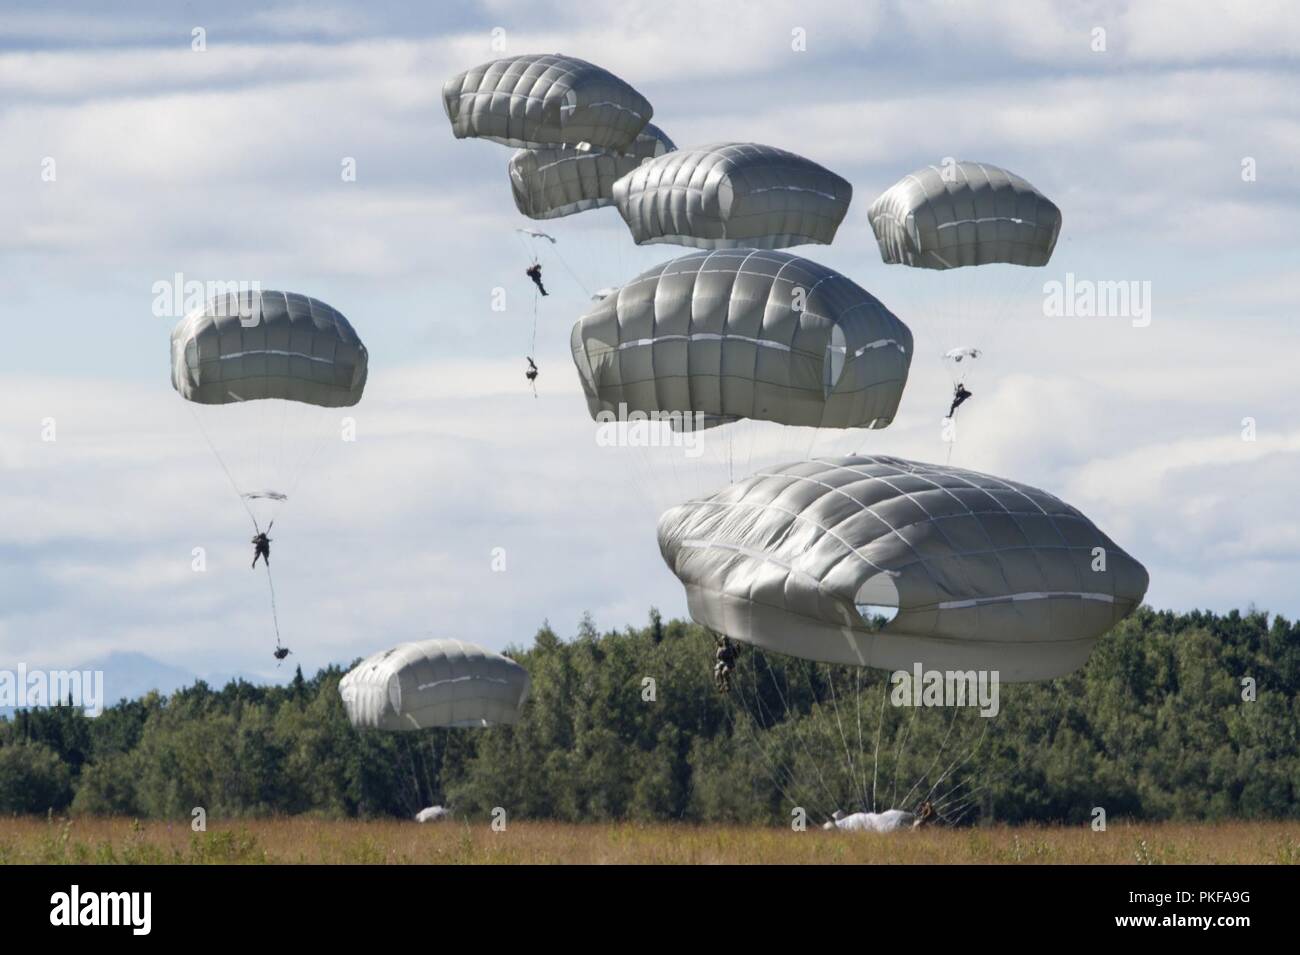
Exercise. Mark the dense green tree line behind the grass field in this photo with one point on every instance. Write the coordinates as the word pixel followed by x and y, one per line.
pixel 1189 717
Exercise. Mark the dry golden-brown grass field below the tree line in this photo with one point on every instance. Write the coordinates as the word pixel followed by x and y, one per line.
pixel 25 840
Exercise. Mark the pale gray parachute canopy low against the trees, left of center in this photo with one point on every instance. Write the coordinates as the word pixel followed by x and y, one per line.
pixel 434 684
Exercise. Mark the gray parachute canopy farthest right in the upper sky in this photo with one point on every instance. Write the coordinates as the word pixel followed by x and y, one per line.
pixel 964 214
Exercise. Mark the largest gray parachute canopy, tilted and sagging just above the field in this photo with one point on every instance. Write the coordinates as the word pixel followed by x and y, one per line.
pixel 985 574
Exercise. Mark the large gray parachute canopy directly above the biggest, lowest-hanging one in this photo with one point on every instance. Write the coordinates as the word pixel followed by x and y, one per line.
pixel 744 335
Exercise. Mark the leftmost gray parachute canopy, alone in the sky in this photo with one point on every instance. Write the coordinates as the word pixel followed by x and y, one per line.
pixel 255 345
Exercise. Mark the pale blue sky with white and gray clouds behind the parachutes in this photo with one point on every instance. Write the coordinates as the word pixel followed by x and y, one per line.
pixel 1168 133
